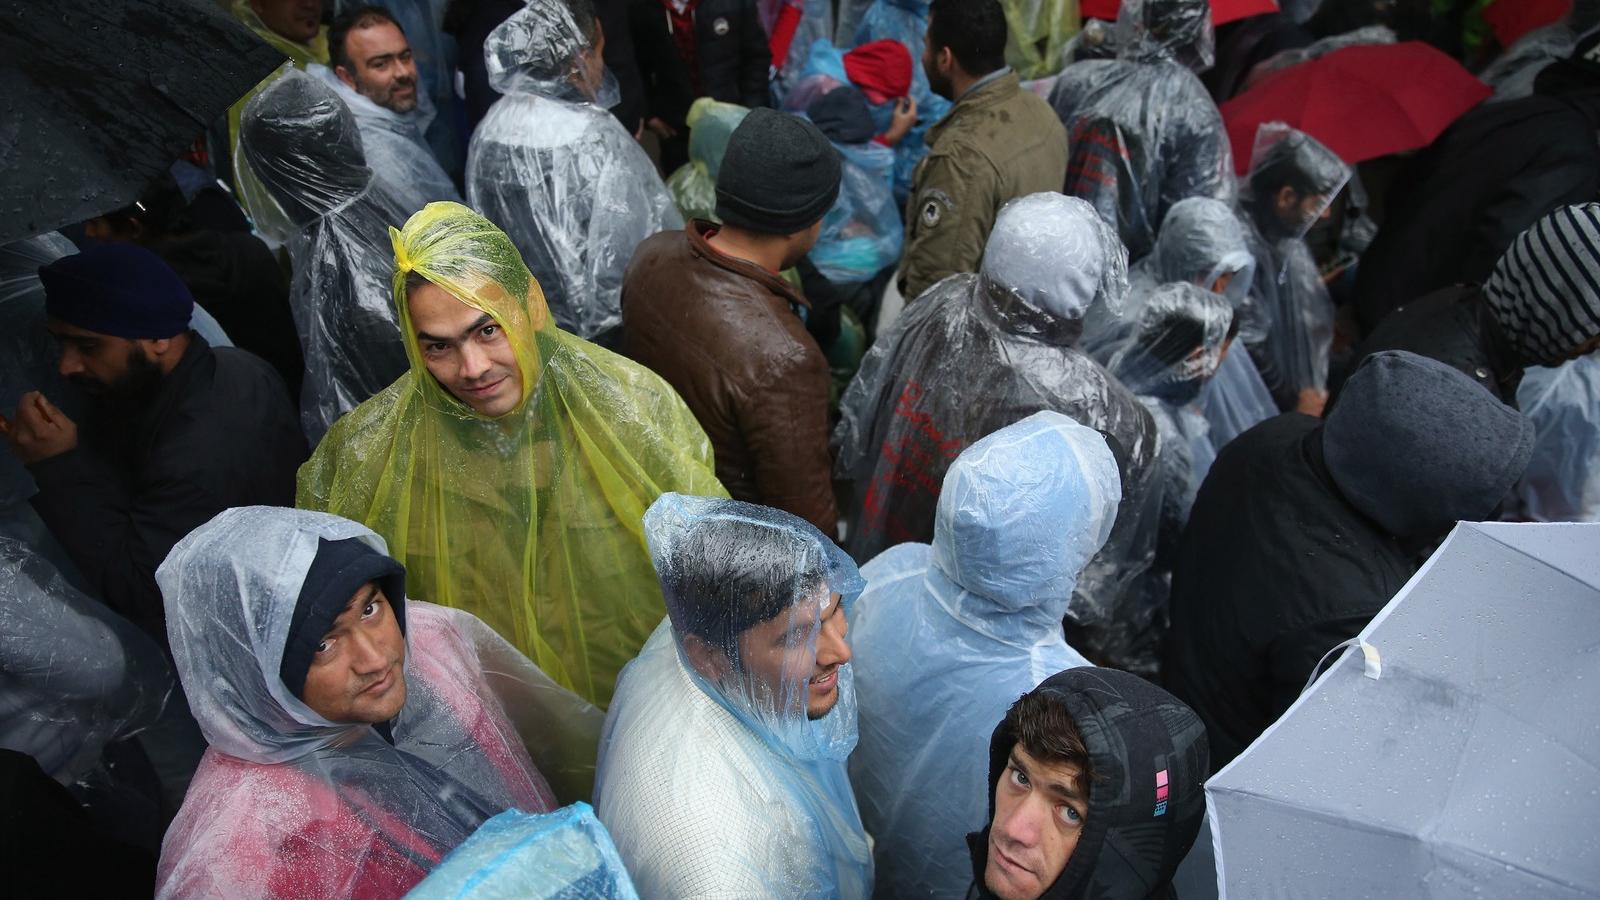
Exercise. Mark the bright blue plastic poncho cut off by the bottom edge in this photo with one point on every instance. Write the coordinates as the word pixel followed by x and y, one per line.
pixel 559 856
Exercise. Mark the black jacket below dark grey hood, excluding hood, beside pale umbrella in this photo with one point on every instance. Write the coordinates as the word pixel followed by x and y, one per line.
pixel 1273 573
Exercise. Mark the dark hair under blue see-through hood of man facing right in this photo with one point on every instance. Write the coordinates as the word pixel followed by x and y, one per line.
pixel 729 576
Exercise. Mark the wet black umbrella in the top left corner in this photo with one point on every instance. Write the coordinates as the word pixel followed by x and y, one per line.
pixel 98 97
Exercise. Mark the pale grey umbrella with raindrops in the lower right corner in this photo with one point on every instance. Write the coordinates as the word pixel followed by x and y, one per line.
pixel 1452 752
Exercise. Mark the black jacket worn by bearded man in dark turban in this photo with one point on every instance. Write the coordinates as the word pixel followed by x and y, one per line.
pixel 220 433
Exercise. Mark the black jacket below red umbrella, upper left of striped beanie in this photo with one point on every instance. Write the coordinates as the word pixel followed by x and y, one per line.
pixel 1457 207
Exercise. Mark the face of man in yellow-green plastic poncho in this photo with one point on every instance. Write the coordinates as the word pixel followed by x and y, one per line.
pixel 466 352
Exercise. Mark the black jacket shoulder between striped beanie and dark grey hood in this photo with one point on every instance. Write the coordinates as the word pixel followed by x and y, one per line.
pixel 1455 327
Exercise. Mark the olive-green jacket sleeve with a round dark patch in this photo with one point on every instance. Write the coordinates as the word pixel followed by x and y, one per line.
pixel 948 220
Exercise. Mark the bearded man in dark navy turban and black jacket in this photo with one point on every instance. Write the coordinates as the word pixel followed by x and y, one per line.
pixel 177 430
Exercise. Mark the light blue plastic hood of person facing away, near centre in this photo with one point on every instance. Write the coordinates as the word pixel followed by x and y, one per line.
pixel 1023 512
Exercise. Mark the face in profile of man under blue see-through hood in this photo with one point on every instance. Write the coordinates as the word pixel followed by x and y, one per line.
pixel 778 654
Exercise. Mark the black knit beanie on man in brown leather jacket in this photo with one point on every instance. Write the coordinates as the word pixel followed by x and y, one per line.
pixel 780 175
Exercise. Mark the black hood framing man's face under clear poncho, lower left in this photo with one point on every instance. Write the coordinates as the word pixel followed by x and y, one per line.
pixel 338 571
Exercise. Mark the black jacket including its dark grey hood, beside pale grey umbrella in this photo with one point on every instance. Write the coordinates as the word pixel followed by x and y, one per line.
pixel 1306 528
